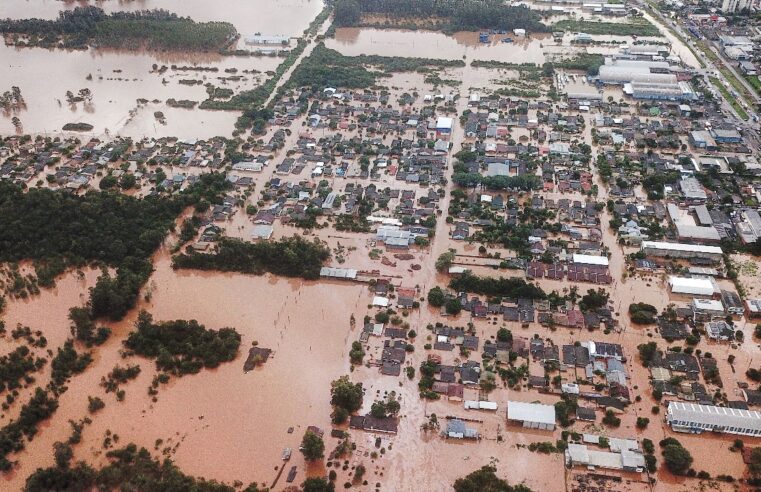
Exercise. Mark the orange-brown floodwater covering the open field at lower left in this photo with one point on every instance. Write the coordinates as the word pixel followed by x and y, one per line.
pixel 229 425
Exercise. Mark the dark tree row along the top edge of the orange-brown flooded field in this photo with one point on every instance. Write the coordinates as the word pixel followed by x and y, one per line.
pixel 289 257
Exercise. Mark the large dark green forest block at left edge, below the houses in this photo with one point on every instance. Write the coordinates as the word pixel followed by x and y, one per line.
pixel 105 228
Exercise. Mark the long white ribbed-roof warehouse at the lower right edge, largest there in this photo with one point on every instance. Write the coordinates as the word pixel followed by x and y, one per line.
pixel 694 418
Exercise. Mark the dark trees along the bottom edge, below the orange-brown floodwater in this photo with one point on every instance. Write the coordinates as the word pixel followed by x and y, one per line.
pixel 128 468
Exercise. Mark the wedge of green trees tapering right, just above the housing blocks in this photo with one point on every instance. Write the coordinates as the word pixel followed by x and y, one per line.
pixel 329 68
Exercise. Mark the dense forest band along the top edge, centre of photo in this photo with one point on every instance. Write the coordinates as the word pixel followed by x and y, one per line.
pixel 456 15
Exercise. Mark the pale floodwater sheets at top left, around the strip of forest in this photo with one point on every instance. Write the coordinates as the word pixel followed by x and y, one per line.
pixel 120 78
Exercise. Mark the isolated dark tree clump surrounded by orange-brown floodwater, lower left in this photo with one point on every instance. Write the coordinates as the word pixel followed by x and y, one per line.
pixel 182 347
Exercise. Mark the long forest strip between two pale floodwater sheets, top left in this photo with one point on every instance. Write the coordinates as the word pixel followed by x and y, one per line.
pixel 151 29
